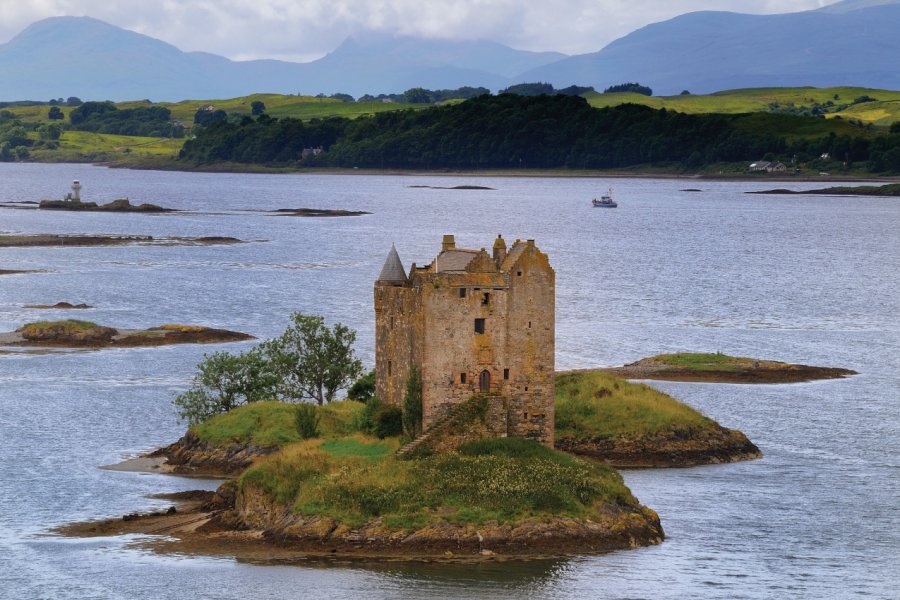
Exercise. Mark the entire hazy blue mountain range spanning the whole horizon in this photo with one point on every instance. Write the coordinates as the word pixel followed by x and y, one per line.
pixel 854 42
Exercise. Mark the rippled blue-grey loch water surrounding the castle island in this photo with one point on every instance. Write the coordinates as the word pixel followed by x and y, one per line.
pixel 814 280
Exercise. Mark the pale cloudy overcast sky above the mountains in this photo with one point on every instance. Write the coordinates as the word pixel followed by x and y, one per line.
pixel 307 29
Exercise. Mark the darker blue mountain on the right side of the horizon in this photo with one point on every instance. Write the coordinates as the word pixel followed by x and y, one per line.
pixel 849 43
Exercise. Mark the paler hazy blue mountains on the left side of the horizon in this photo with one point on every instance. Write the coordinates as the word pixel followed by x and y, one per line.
pixel 84 57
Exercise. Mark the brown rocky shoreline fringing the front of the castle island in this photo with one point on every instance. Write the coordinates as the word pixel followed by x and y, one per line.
pixel 249 524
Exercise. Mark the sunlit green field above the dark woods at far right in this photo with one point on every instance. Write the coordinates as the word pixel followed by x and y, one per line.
pixel 884 111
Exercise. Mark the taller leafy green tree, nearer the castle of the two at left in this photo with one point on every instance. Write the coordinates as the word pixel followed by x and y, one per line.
pixel 311 360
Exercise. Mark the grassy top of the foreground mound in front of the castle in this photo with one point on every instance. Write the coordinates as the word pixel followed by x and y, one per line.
pixel 355 481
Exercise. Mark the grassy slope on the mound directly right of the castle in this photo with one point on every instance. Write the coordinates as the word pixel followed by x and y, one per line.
pixel 594 405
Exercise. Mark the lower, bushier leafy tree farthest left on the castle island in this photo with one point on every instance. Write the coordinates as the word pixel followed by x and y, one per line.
pixel 225 381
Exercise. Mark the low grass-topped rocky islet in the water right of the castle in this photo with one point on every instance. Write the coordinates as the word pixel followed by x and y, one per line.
pixel 722 368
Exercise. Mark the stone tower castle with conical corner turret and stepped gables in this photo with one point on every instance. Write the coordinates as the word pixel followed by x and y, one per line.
pixel 471 322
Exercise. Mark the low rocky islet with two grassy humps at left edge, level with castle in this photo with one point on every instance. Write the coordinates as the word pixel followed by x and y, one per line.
pixel 73 333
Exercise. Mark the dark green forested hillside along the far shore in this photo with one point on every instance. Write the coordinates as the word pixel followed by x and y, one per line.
pixel 547 132
